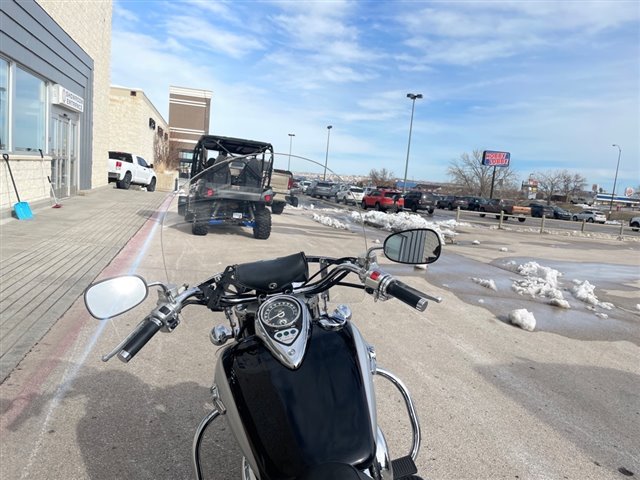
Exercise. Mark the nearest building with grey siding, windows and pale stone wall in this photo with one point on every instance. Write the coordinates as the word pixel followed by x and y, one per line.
pixel 54 97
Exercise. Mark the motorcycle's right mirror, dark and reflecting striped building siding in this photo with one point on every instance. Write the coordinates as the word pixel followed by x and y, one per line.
pixel 418 246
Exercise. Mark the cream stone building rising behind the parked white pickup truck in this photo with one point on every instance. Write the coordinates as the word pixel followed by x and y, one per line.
pixel 137 126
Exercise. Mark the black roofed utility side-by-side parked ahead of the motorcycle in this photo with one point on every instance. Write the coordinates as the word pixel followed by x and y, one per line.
pixel 230 184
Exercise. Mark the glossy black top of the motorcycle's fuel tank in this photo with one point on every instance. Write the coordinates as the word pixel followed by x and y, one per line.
pixel 299 418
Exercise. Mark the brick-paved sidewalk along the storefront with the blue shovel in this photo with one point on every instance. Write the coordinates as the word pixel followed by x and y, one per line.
pixel 47 262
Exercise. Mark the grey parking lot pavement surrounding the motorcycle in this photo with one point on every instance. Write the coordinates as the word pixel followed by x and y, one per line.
pixel 494 401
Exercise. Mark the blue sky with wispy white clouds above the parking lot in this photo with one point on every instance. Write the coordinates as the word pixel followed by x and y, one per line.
pixel 554 83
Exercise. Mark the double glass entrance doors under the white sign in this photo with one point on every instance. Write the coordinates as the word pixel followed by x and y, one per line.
pixel 63 148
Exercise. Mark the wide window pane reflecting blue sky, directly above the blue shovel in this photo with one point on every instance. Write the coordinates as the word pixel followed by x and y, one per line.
pixel 29 112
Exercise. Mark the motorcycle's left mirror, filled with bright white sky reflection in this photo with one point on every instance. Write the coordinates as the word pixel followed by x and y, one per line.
pixel 114 296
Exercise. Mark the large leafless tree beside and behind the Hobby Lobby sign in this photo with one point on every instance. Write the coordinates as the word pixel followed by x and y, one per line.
pixel 475 178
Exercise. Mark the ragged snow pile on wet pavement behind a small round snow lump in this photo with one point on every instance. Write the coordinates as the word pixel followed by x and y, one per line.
pixel 539 282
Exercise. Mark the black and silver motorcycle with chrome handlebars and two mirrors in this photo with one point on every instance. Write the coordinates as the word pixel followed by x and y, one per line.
pixel 294 379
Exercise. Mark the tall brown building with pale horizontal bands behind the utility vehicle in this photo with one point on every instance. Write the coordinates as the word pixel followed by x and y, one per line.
pixel 189 114
